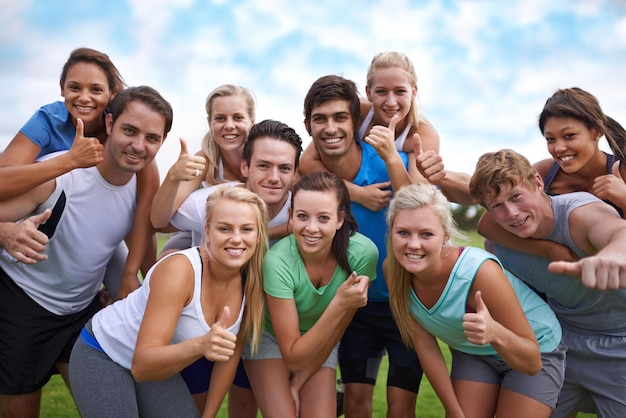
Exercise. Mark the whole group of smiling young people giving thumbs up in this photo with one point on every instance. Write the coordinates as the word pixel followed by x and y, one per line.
pixel 284 264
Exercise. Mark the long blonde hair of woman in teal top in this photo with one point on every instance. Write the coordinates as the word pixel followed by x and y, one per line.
pixel 409 197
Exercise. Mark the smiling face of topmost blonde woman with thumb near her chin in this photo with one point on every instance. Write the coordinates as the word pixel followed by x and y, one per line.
pixel 391 93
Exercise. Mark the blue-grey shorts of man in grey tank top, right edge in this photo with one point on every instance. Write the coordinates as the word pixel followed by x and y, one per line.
pixel 595 376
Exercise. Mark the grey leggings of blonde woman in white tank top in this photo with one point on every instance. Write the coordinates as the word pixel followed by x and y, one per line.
pixel 102 388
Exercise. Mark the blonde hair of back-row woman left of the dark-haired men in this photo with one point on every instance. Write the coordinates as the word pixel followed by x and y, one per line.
pixel 209 146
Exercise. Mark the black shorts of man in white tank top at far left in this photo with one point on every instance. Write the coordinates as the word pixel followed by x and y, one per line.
pixel 33 339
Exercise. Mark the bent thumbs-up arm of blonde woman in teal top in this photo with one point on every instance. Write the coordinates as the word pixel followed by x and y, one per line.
pixel 499 320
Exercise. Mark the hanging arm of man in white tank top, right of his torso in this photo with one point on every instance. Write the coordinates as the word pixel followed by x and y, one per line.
pixel 141 236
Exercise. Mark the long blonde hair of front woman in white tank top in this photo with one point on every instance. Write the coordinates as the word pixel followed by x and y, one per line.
pixel 252 323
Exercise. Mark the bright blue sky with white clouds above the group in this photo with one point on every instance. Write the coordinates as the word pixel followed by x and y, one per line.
pixel 485 68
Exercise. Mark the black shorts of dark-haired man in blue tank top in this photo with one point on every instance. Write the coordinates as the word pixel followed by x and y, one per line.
pixel 371 333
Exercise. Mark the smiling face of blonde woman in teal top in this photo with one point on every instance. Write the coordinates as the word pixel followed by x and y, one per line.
pixel 417 239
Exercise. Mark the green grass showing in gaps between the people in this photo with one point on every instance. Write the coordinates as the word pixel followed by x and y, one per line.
pixel 57 402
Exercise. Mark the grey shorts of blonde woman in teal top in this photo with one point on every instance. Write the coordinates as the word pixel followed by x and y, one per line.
pixel 543 387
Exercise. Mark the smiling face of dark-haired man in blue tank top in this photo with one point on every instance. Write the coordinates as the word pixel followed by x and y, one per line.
pixel 331 128
